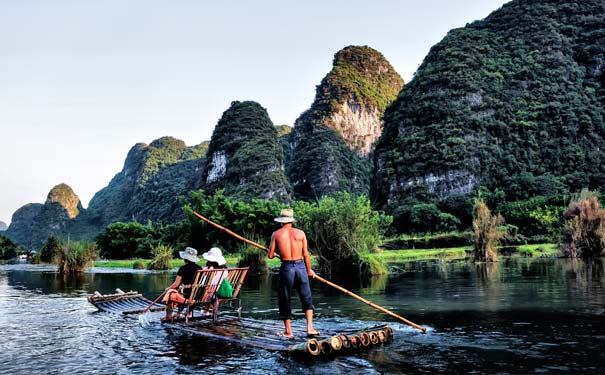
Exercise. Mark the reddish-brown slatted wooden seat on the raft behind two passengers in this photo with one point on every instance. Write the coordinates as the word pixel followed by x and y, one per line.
pixel 204 291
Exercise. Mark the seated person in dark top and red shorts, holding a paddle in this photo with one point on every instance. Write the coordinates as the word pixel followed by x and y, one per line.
pixel 184 277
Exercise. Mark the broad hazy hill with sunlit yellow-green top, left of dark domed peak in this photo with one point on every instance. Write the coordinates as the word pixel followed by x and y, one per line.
pixel 153 178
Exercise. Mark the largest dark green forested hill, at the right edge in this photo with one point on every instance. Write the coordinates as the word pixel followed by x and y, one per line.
pixel 514 102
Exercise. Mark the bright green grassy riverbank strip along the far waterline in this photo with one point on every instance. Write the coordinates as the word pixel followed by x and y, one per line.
pixel 387 256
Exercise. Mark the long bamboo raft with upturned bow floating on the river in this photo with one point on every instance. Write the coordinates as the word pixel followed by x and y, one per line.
pixel 252 332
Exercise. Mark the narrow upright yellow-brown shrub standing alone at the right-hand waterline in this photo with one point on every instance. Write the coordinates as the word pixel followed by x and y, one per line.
pixel 486 234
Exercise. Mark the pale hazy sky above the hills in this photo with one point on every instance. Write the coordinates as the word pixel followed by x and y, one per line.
pixel 82 81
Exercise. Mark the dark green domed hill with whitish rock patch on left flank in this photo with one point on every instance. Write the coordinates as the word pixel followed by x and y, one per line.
pixel 245 157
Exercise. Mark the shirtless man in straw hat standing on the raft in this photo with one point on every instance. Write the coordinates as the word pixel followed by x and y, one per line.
pixel 291 244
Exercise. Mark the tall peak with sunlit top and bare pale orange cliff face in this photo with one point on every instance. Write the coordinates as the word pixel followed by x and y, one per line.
pixel 331 140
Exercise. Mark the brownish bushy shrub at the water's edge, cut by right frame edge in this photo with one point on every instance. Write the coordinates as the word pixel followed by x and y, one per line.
pixel 584 230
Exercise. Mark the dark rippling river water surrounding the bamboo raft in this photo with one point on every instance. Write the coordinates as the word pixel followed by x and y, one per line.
pixel 519 315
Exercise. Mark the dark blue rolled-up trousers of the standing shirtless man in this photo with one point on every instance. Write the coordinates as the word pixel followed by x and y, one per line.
pixel 293 275
